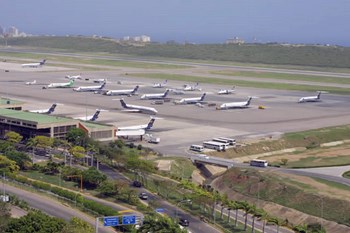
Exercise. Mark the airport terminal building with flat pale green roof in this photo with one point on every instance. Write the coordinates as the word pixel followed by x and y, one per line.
pixel 30 124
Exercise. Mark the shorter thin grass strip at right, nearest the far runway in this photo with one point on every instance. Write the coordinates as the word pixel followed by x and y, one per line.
pixel 283 76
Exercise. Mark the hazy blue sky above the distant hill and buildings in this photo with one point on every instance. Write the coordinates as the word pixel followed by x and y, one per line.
pixel 196 21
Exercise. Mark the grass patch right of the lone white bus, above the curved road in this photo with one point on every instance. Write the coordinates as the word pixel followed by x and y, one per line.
pixel 314 161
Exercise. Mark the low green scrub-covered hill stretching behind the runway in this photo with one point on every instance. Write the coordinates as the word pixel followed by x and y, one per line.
pixel 304 55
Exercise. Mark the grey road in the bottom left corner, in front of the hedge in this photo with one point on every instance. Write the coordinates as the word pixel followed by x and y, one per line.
pixel 52 207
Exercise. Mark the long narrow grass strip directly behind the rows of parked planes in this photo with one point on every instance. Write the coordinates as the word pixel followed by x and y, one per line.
pixel 243 83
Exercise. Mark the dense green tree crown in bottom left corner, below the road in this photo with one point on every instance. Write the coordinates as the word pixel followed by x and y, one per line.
pixel 35 222
